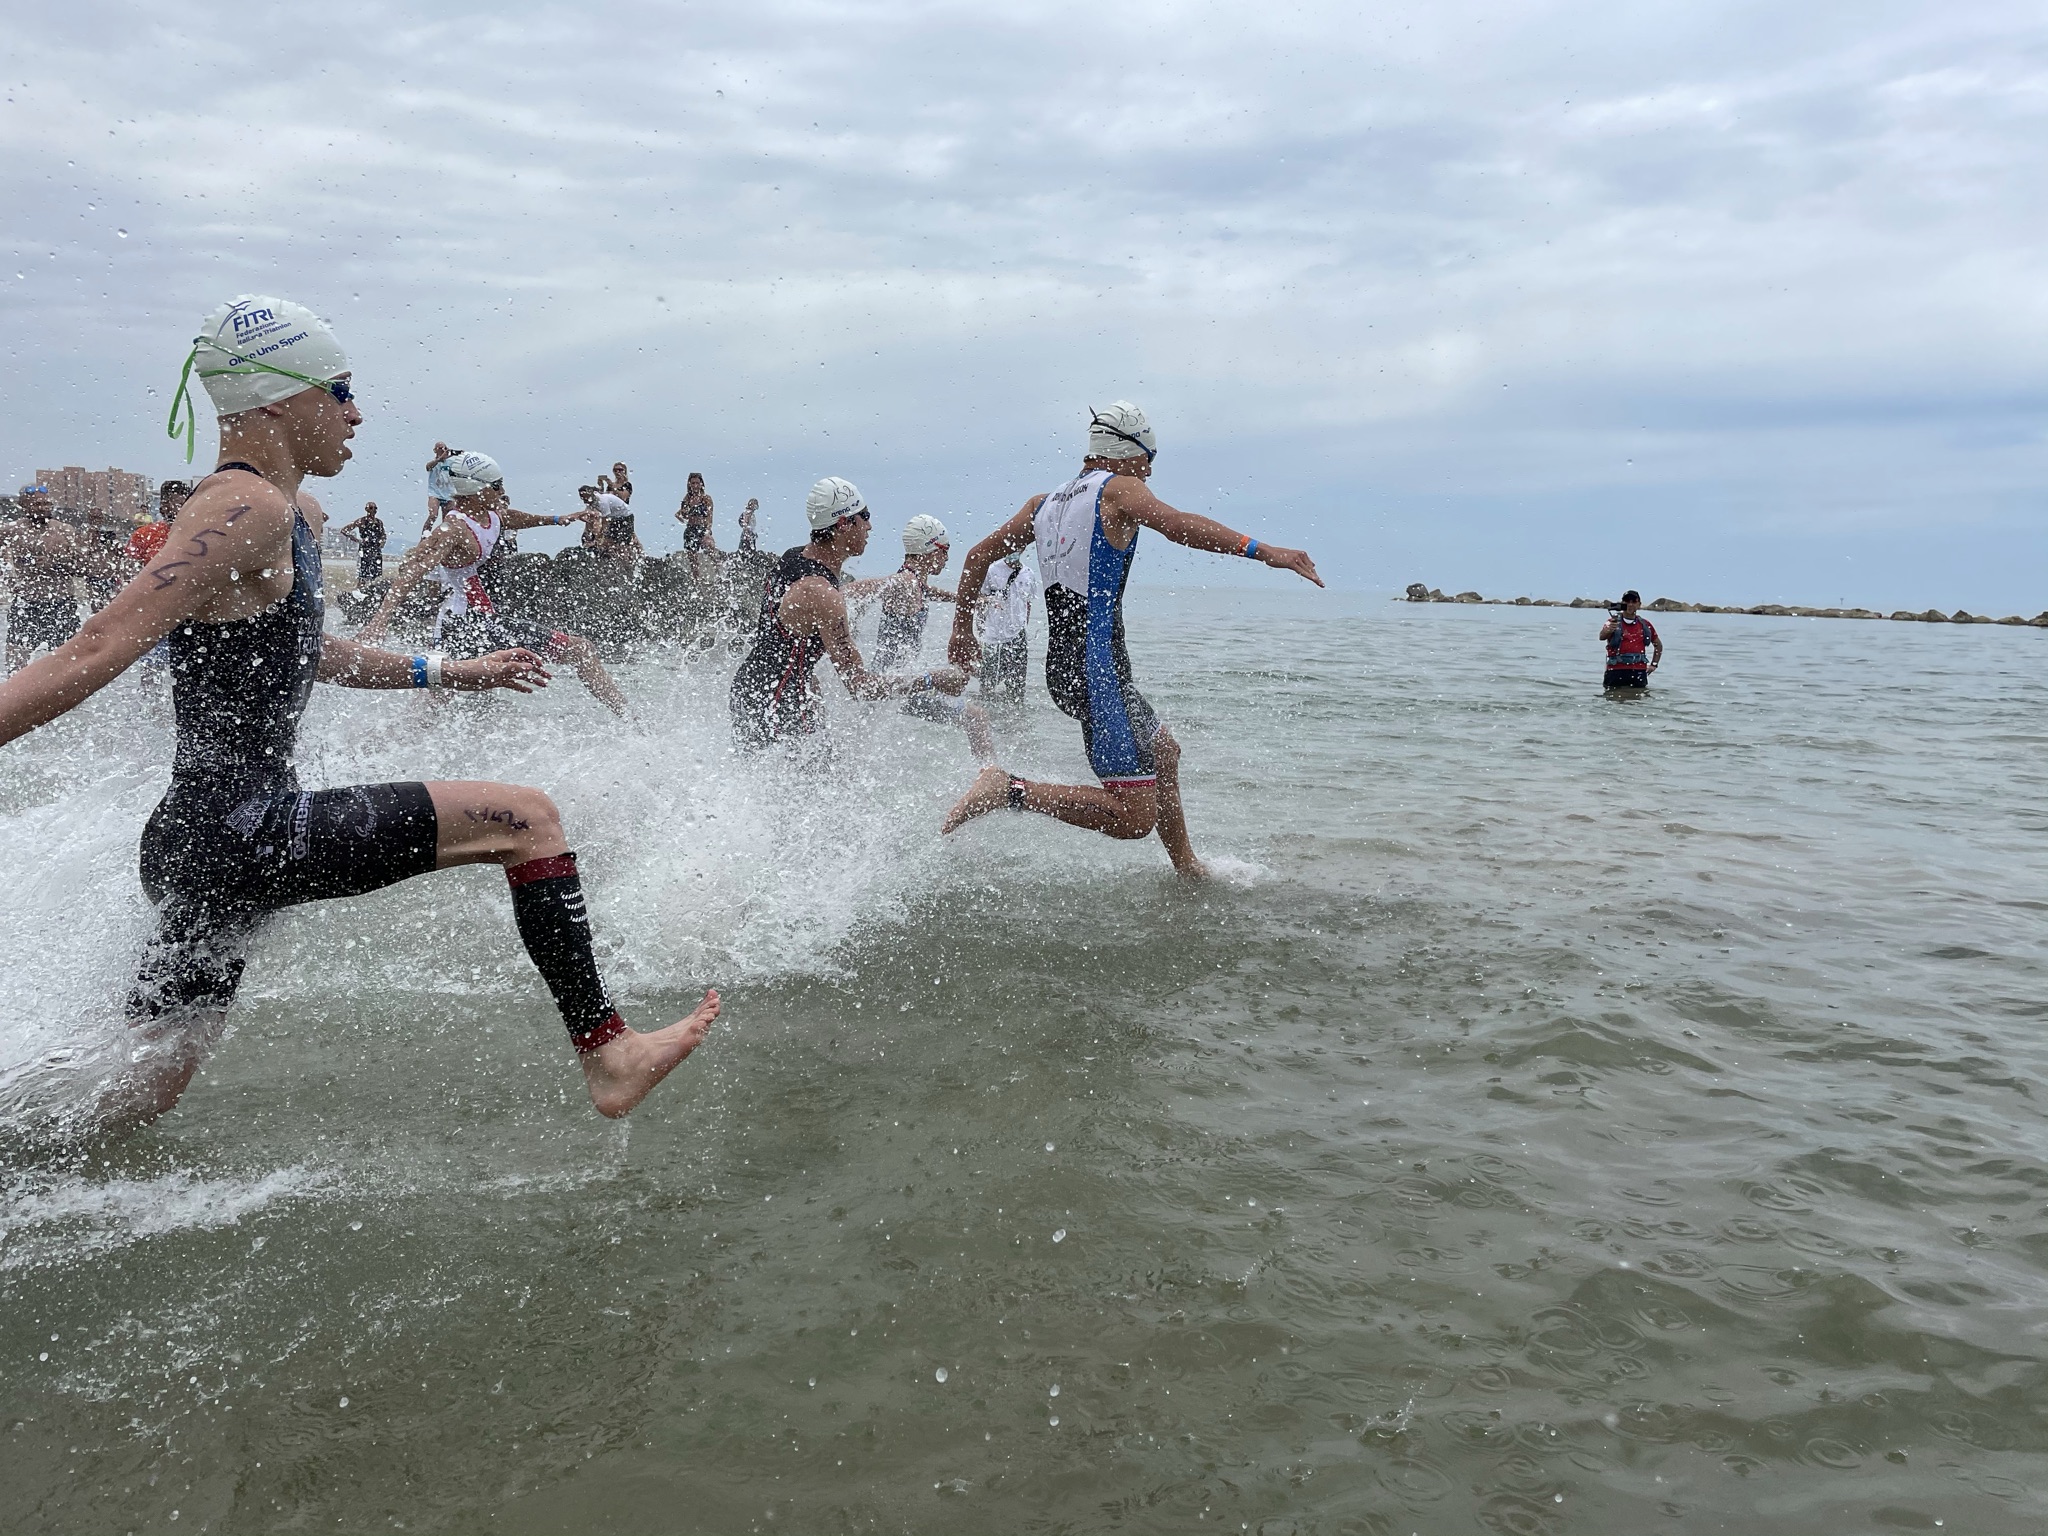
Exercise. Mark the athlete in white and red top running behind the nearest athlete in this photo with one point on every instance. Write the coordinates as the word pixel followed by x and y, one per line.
pixel 456 552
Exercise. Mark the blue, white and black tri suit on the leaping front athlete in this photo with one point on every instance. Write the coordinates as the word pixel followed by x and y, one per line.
pixel 1086 667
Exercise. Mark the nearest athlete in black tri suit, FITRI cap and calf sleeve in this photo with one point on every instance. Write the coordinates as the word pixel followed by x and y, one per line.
pixel 237 591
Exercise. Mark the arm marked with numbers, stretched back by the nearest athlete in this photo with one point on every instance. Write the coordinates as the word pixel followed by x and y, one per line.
pixel 218 540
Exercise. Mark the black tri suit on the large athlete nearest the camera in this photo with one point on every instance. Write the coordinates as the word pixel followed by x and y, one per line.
pixel 237 837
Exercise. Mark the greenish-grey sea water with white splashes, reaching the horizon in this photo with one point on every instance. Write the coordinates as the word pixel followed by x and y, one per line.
pixel 1560 1115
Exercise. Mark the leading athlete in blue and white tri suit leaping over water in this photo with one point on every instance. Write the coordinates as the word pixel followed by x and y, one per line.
pixel 1086 534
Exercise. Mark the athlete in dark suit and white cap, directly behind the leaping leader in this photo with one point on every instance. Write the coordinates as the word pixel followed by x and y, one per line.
pixel 804 617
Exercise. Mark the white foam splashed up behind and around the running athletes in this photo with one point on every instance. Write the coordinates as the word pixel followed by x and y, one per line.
pixel 703 865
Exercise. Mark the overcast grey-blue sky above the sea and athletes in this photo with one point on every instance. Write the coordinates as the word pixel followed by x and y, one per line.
pixel 1734 302
